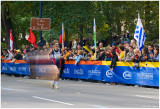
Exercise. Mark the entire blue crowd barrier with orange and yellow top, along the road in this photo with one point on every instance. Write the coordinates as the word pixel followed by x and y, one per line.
pixel 124 72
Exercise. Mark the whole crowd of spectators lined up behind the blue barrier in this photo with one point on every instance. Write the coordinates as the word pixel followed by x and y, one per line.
pixel 121 50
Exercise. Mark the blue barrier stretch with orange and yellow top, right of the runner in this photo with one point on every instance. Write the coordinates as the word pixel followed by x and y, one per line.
pixel 124 72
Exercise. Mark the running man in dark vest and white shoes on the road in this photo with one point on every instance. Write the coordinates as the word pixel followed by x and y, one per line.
pixel 56 55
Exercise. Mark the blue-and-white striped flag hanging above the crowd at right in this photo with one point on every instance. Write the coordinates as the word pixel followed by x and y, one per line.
pixel 139 34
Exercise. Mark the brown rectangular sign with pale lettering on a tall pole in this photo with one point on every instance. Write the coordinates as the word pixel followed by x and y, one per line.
pixel 40 23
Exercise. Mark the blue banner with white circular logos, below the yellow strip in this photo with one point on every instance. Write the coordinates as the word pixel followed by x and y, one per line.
pixel 130 75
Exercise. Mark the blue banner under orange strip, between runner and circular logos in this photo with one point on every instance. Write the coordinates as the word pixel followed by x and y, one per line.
pixel 92 72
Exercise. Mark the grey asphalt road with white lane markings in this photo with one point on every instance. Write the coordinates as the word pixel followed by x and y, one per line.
pixel 19 92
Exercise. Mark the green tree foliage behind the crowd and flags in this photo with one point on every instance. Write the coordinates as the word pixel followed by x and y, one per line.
pixel 109 15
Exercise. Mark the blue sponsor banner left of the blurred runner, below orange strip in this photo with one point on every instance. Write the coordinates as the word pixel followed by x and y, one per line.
pixel 15 68
